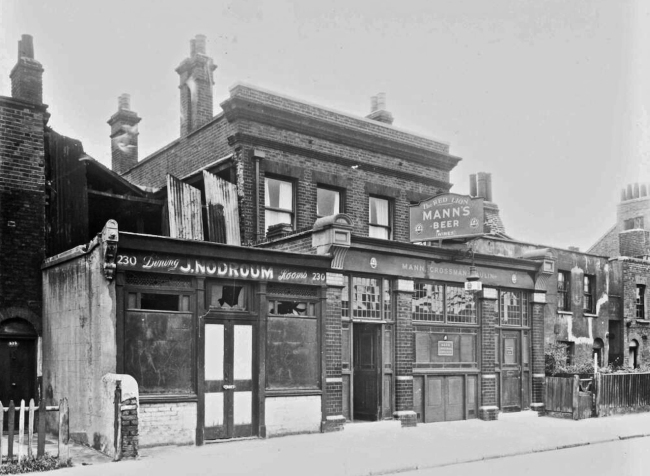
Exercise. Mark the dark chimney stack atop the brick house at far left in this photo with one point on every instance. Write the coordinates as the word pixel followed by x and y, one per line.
pixel 27 74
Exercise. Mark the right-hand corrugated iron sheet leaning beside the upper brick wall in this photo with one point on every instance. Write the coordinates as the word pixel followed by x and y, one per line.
pixel 223 210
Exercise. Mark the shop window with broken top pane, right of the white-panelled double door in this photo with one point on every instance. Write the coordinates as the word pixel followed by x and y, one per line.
pixel 293 349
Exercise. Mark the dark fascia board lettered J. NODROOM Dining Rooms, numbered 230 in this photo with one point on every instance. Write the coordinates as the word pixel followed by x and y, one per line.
pixel 217 268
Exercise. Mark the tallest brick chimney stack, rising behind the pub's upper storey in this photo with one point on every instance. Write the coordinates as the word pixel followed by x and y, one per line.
pixel 196 81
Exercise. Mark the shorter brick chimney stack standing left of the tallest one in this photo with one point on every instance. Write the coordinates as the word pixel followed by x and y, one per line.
pixel 124 136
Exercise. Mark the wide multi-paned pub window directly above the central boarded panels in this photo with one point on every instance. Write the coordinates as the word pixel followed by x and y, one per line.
pixel 443 303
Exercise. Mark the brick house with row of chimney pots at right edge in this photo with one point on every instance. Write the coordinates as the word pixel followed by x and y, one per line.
pixel 627 244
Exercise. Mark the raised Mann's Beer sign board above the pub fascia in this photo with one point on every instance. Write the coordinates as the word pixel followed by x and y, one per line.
pixel 446 216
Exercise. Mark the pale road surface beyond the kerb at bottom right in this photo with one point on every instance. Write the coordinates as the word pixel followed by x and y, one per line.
pixel 626 457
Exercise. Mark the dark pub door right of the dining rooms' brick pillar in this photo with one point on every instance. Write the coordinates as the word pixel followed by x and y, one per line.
pixel 367 372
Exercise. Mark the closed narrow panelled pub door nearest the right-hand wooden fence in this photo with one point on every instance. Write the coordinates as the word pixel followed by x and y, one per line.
pixel 511 372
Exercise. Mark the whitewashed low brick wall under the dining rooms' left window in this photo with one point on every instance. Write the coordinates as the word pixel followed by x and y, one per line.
pixel 167 424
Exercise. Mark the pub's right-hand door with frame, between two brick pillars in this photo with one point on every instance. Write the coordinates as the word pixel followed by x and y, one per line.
pixel 515 370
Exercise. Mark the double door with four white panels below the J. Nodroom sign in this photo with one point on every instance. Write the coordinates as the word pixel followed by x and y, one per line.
pixel 229 379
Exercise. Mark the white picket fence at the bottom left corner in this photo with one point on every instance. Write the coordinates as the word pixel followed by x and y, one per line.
pixel 64 429
